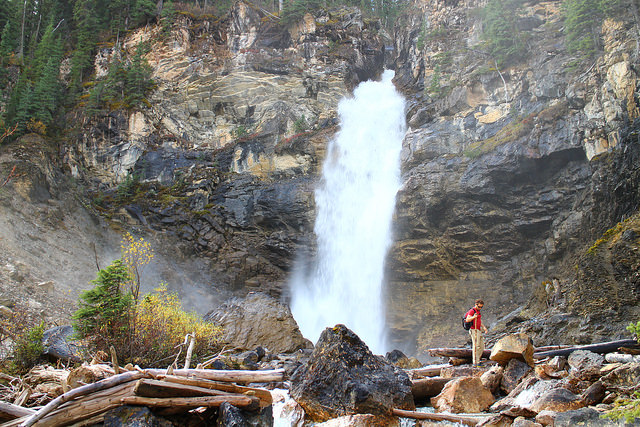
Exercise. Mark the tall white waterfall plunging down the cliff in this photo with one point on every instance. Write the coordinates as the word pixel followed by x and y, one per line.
pixel 355 203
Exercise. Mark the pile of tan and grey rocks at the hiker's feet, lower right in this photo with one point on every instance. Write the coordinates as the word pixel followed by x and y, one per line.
pixel 561 390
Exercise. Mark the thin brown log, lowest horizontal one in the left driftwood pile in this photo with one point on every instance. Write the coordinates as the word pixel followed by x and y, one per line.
pixel 237 400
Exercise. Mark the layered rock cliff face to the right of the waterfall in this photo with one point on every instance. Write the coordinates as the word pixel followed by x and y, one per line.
pixel 501 171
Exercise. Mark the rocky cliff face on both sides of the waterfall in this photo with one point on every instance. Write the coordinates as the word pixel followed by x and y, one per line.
pixel 509 176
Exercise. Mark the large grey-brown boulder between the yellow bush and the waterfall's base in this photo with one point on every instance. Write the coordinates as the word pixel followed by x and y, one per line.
pixel 259 320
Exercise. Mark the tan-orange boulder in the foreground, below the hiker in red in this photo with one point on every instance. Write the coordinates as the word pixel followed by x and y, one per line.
pixel 463 395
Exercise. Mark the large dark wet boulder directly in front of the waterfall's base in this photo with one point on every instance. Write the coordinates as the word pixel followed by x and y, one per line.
pixel 343 377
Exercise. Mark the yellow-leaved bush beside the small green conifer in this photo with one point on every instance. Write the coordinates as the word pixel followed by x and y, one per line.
pixel 160 329
